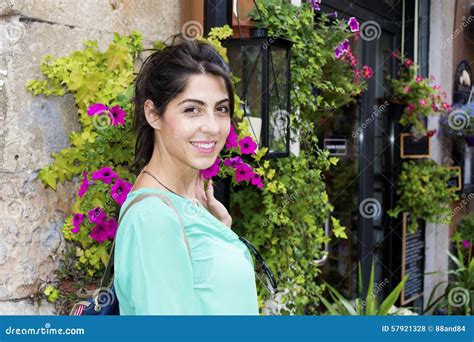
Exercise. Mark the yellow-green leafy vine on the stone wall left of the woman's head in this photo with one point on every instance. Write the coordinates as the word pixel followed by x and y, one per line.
pixel 92 76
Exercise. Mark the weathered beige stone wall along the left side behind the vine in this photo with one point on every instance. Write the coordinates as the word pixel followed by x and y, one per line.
pixel 31 128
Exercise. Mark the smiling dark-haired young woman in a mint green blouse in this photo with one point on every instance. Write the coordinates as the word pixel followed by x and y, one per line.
pixel 183 109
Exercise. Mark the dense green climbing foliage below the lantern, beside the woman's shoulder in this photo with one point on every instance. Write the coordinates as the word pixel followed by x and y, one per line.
pixel 286 222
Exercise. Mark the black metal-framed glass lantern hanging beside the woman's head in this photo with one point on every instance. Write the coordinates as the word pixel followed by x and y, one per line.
pixel 263 66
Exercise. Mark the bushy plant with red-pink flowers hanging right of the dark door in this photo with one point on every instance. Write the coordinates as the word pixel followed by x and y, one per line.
pixel 421 99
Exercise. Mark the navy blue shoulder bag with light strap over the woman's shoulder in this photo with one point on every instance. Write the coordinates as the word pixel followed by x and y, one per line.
pixel 104 301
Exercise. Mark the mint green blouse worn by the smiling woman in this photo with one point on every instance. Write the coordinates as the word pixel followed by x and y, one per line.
pixel 154 274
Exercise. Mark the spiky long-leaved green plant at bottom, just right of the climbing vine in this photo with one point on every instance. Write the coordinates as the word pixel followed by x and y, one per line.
pixel 367 306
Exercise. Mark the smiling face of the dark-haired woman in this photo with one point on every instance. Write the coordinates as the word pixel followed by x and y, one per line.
pixel 195 125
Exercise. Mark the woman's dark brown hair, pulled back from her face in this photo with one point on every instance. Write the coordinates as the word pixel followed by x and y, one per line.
pixel 163 76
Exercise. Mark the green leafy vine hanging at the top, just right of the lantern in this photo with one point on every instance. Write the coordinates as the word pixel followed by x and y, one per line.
pixel 313 62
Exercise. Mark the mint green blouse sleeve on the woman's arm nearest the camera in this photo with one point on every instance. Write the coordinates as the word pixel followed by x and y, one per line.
pixel 158 262
